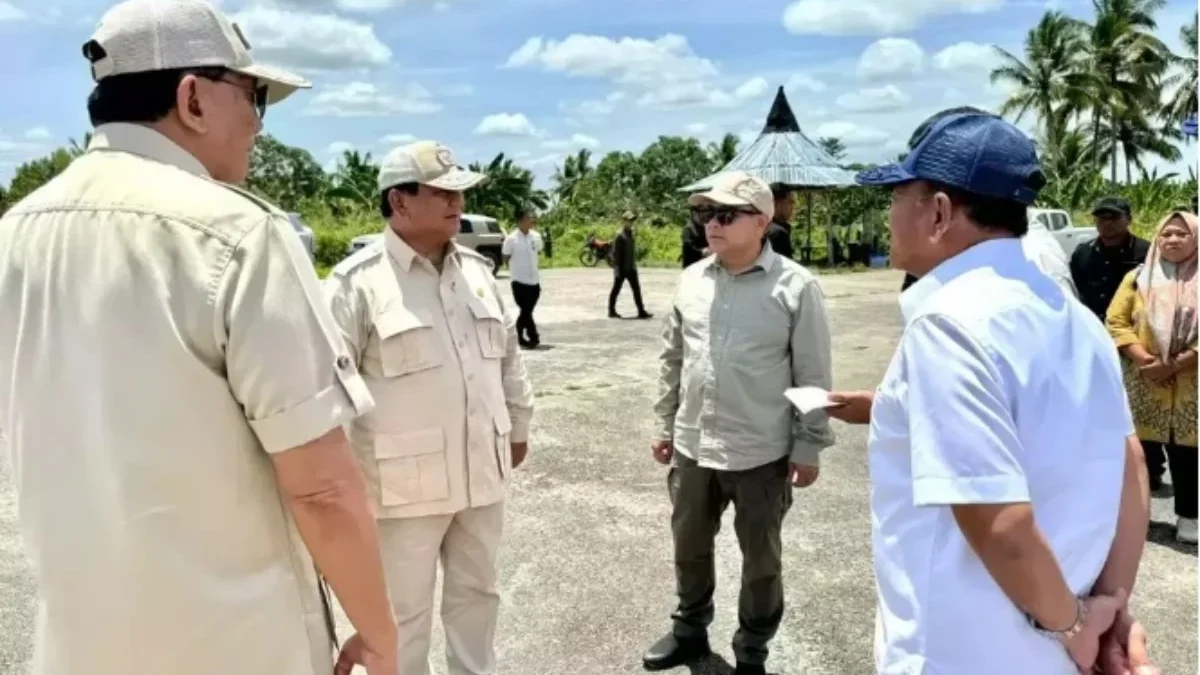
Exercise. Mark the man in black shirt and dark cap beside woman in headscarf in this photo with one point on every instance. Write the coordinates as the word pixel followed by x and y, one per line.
pixel 1097 268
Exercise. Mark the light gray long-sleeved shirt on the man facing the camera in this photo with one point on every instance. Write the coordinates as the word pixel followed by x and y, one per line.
pixel 733 344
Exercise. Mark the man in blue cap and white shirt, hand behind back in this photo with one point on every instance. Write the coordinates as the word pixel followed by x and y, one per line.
pixel 986 419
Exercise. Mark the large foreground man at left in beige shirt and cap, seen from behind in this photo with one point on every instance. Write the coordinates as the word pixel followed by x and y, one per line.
pixel 176 387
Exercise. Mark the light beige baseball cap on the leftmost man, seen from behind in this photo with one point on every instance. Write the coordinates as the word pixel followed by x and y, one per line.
pixel 158 35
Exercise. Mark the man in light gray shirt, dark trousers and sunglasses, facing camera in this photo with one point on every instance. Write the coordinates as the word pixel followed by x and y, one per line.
pixel 746 325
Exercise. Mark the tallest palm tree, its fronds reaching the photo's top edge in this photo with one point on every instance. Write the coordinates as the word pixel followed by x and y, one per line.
pixel 1125 69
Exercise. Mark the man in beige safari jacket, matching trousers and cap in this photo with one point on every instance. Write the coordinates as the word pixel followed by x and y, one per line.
pixel 424 322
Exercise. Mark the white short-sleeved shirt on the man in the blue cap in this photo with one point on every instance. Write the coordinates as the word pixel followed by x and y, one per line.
pixel 1018 399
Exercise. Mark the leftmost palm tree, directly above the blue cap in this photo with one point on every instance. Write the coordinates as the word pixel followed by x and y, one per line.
pixel 1042 81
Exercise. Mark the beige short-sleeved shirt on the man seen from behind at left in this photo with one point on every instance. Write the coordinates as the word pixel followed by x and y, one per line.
pixel 161 336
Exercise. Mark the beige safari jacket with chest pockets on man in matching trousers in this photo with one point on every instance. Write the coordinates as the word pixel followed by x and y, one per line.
pixel 440 354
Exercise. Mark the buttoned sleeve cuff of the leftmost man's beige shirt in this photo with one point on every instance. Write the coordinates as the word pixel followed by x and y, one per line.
pixel 309 421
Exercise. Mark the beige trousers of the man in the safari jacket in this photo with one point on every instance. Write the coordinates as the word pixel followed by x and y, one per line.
pixel 466 543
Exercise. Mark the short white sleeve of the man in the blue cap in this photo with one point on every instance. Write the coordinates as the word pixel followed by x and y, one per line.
pixel 965 449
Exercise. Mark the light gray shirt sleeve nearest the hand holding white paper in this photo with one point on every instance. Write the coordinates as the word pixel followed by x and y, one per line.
pixel 812 367
